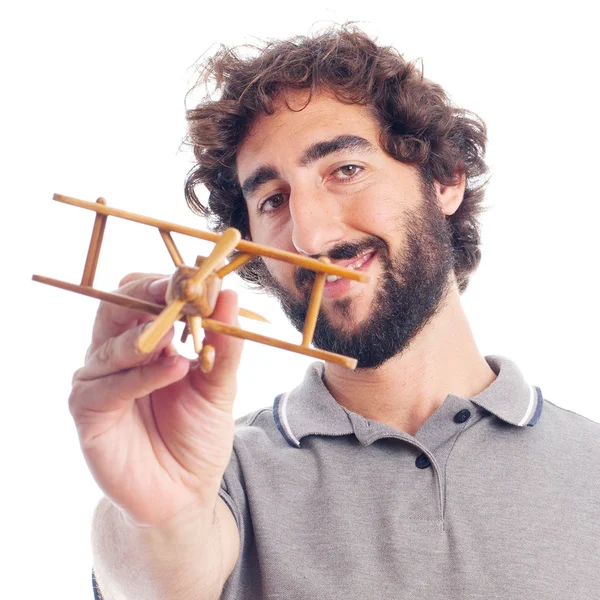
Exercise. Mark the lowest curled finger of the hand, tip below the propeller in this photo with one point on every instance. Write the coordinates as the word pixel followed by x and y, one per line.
pixel 115 392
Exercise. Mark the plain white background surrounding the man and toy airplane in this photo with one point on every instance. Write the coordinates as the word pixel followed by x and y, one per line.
pixel 93 105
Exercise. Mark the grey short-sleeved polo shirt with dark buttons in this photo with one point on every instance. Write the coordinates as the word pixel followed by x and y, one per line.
pixel 496 496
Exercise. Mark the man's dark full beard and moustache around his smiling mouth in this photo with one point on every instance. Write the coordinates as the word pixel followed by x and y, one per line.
pixel 410 292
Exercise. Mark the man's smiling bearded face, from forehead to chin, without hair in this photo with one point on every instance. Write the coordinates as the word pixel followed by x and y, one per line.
pixel 317 182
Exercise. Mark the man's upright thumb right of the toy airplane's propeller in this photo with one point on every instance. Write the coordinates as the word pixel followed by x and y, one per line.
pixel 228 350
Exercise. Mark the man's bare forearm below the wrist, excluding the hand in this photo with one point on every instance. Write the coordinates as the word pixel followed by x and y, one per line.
pixel 190 558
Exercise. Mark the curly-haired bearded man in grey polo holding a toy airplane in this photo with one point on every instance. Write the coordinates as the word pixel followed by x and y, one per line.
pixel 430 471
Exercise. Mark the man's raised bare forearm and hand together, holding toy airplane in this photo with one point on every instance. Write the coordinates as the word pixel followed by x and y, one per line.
pixel 157 434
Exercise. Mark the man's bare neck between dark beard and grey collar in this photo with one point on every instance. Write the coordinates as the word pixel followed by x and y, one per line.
pixel 404 392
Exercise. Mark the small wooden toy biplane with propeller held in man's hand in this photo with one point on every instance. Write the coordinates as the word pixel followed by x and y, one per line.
pixel 193 291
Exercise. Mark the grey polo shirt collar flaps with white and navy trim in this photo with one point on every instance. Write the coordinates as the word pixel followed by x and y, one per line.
pixel 309 409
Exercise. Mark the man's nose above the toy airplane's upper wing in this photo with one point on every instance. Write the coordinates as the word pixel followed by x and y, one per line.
pixel 317 223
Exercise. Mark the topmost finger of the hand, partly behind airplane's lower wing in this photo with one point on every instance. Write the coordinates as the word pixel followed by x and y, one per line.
pixel 112 320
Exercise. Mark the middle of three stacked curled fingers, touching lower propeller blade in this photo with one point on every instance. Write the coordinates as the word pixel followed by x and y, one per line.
pixel 120 353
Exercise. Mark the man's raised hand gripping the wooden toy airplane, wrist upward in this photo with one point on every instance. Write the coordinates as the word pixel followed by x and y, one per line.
pixel 156 432
